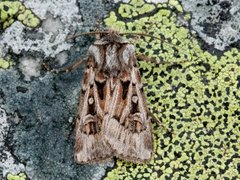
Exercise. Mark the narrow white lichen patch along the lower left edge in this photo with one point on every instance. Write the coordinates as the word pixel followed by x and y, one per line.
pixel 7 162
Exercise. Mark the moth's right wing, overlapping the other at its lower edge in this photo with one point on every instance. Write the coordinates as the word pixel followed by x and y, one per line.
pixel 127 127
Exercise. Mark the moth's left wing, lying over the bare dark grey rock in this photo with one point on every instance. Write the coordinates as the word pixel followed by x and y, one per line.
pixel 90 146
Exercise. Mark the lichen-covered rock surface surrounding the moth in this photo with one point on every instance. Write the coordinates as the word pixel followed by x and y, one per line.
pixel 195 94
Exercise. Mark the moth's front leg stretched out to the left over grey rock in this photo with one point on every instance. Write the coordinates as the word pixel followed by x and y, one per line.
pixel 69 68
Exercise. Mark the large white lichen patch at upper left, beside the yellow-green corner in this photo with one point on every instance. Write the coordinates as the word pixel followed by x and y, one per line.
pixel 58 20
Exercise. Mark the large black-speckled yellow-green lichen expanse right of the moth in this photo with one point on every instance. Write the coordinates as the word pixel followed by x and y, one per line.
pixel 198 98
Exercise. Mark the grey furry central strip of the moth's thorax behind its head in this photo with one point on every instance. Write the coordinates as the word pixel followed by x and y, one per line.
pixel 112 64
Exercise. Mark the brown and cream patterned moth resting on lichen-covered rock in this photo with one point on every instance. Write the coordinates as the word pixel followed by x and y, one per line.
pixel 113 119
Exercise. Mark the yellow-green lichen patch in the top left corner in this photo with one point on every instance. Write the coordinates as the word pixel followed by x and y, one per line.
pixel 11 10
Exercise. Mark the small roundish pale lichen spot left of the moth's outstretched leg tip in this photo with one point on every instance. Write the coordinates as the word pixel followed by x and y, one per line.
pixel 30 67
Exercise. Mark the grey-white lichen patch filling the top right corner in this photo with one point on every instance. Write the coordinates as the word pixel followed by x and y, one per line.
pixel 212 19
